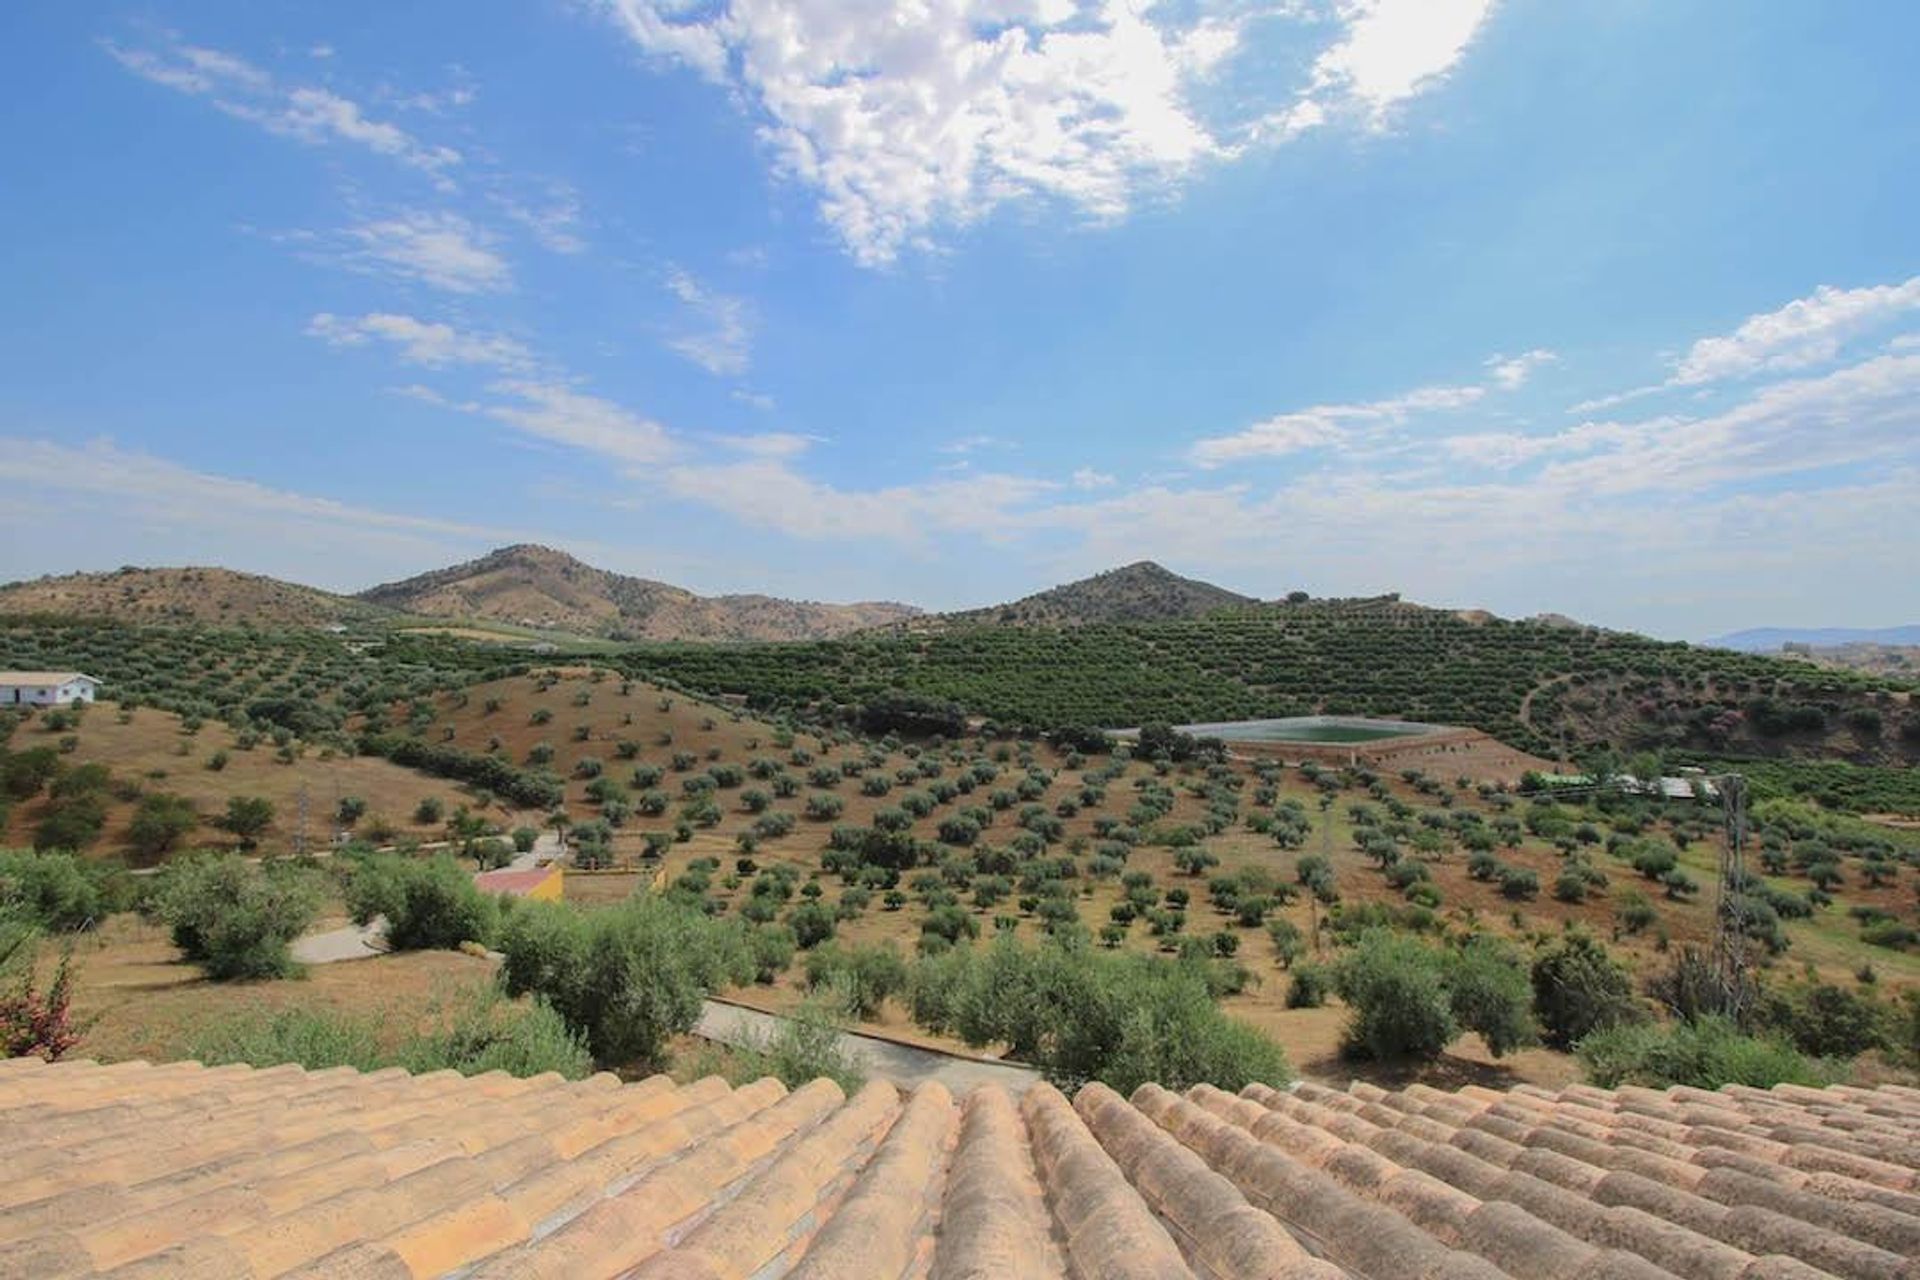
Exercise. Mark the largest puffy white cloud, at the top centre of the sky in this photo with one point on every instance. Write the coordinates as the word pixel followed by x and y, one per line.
pixel 901 124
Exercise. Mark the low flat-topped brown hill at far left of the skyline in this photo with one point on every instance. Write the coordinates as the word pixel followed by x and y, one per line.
pixel 183 596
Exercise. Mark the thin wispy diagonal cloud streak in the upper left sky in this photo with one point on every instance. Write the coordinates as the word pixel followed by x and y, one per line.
pixel 302 112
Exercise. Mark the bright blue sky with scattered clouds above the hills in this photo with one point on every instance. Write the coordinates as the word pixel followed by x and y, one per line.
pixel 1604 308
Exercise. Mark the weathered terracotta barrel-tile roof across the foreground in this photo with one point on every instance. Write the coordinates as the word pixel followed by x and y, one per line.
pixel 180 1170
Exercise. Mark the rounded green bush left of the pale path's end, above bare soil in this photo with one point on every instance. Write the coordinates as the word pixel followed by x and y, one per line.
pixel 231 918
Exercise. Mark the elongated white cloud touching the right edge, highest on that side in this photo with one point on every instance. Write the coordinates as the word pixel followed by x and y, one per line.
pixel 1808 331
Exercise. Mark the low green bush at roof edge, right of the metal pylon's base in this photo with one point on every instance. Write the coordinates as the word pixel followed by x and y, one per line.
pixel 1704 1055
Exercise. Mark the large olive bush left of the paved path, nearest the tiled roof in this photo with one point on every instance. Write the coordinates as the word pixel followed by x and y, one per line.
pixel 627 978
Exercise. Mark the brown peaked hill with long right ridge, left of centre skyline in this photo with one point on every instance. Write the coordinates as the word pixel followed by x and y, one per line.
pixel 544 588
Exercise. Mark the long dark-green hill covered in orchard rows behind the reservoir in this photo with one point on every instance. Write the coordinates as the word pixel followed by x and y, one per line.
pixel 1533 684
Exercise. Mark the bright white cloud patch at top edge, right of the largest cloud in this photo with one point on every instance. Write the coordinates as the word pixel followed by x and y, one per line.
pixel 1393 51
